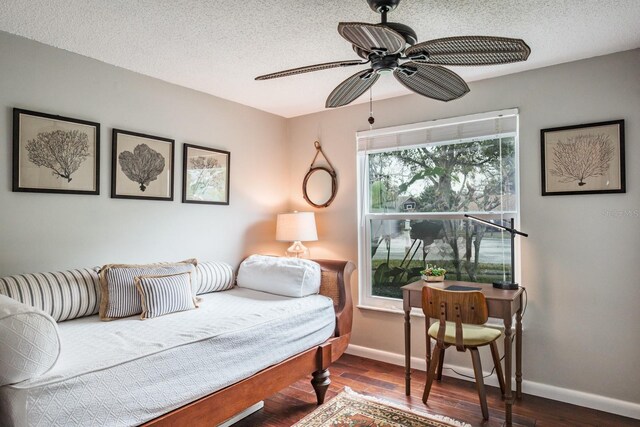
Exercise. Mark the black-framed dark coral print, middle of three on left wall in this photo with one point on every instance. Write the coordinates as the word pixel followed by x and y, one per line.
pixel 155 180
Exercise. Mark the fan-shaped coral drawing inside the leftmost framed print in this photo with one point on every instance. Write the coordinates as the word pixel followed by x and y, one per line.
pixel 62 151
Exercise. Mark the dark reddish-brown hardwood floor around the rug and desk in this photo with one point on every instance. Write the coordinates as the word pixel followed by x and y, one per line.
pixel 453 397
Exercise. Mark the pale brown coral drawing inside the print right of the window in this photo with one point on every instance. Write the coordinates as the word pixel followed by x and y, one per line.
pixel 582 157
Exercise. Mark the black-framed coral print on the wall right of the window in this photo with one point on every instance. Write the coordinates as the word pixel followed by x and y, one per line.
pixel 583 159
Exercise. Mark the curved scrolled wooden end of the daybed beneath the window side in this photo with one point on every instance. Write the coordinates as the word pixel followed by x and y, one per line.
pixel 335 284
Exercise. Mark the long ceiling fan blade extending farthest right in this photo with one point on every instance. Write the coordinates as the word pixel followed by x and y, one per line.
pixel 470 50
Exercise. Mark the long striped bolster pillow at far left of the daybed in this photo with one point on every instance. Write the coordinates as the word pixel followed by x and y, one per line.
pixel 63 295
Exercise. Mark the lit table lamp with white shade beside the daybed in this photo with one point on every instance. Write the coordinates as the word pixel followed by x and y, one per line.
pixel 296 227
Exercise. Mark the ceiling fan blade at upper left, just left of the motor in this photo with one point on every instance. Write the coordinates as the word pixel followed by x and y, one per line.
pixel 372 37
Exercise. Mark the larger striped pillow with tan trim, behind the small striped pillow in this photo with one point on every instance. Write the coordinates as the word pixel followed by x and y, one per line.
pixel 117 282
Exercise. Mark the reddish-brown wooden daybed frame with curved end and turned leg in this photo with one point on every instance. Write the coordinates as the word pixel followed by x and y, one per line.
pixel 225 403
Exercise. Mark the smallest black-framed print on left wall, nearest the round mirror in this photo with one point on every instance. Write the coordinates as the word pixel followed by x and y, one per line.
pixel 211 170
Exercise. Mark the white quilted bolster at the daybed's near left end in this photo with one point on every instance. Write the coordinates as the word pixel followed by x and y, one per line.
pixel 29 341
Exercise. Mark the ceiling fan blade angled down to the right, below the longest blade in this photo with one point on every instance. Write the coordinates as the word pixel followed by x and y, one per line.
pixel 431 81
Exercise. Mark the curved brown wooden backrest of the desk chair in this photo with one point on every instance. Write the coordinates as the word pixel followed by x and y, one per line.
pixel 468 306
